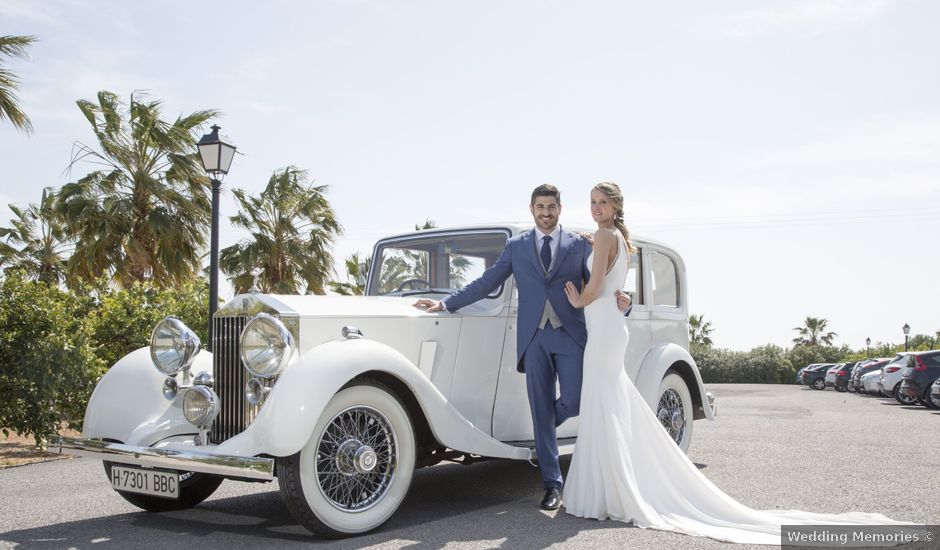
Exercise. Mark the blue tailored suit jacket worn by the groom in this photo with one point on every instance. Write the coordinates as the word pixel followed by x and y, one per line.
pixel 521 260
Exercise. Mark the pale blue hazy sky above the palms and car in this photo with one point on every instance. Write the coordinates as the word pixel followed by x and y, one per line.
pixel 789 150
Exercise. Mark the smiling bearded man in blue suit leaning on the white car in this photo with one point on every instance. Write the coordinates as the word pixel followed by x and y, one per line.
pixel 551 333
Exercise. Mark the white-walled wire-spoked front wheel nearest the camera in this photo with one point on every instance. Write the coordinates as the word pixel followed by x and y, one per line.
pixel 356 468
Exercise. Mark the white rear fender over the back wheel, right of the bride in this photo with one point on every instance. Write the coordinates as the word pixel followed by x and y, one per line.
pixel 660 359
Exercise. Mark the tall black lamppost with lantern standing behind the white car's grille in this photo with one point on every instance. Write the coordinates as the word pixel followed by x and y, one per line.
pixel 216 153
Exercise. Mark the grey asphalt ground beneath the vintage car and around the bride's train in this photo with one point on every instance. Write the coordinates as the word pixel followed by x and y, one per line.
pixel 772 447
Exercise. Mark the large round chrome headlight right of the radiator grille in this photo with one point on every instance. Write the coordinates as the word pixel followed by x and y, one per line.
pixel 266 346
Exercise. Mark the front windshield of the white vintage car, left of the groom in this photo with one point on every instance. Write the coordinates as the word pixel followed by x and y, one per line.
pixel 435 264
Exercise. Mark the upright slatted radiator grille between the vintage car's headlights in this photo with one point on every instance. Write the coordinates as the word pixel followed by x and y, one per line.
pixel 230 379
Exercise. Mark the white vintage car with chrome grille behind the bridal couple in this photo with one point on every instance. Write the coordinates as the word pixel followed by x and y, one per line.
pixel 341 398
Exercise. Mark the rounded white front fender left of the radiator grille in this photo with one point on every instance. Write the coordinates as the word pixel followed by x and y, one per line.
pixel 128 403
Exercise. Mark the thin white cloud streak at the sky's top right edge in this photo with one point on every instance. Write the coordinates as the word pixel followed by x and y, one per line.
pixel 817 15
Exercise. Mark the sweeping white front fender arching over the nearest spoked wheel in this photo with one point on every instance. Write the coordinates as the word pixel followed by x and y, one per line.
pixel 286 421
